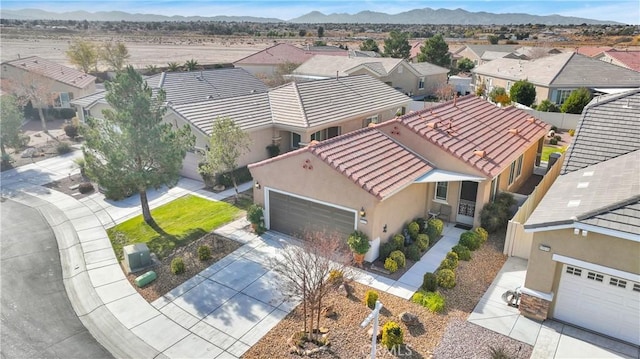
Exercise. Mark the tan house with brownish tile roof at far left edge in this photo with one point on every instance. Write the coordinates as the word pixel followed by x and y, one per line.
pixel 61 84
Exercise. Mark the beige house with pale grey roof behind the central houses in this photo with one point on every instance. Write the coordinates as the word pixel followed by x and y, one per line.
pixel 413 79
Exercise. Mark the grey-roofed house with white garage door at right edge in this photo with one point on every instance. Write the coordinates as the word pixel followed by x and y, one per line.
pixel 584 265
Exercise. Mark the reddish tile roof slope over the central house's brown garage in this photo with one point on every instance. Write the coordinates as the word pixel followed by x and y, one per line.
pixel 369 158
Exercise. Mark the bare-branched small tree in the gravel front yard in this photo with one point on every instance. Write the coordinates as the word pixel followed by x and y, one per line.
pixel 306 270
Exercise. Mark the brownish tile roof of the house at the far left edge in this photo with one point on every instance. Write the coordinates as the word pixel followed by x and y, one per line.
pixel 52 70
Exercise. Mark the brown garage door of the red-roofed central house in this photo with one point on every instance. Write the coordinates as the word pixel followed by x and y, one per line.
pixel 295 216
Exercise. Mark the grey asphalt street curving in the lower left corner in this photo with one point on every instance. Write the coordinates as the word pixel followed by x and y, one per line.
pixel 37 319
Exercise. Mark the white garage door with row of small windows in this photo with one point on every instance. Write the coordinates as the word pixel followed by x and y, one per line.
pixel 599 302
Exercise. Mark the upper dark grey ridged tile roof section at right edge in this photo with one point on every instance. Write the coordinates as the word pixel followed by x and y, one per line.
pixel 609 127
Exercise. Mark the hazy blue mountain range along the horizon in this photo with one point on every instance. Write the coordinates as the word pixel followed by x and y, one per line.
pixel 417 16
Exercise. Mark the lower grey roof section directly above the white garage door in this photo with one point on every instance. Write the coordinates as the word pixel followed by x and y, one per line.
pixel 605 195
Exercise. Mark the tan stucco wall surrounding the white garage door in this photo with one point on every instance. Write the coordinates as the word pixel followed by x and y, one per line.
pixel 543 273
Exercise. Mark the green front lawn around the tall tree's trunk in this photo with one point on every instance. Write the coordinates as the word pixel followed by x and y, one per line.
pixel 184 220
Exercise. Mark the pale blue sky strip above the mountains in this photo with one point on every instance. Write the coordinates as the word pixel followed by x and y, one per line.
pixel 615 10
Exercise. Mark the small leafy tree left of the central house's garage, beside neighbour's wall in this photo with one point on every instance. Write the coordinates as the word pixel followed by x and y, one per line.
pixel 228 142
